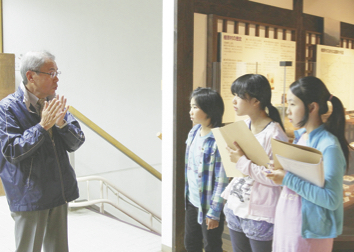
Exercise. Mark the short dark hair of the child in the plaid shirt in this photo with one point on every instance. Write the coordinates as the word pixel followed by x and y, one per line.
pixel 211 103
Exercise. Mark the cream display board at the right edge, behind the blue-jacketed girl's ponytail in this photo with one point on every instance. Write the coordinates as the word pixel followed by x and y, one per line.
pixel 334 66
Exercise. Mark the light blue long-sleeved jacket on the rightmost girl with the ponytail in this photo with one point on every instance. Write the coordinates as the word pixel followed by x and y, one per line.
pixel 322 208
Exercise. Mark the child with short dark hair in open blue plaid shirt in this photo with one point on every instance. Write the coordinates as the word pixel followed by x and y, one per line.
pixel 204 175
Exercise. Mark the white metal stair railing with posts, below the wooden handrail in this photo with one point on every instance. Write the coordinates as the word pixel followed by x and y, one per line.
pixel 104 199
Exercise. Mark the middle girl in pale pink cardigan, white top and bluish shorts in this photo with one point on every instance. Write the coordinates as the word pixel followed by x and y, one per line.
pixel 251 200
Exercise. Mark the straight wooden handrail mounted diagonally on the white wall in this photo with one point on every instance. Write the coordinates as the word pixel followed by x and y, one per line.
pixel 114 142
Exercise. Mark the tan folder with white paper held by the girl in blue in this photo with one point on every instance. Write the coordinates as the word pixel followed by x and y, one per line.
pixel 305 162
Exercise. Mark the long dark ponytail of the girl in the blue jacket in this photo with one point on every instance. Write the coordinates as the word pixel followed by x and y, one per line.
pixel 336 125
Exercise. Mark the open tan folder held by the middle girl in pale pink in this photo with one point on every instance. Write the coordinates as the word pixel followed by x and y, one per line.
pixel 240 133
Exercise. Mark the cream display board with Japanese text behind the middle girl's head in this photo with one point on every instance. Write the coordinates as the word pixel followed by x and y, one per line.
pixel 242 54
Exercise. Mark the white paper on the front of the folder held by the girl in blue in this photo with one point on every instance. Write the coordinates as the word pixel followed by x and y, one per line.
pixel 310 172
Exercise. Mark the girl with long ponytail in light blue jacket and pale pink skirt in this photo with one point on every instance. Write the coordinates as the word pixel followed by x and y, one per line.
pixel 308 217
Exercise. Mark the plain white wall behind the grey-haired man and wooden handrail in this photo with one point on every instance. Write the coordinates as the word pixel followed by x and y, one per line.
pixel 109 53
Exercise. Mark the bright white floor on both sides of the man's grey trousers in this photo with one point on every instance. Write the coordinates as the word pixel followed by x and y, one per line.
pixel 90 232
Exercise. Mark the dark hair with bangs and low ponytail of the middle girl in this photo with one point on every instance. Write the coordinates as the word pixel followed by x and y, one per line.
pixel 256 86
